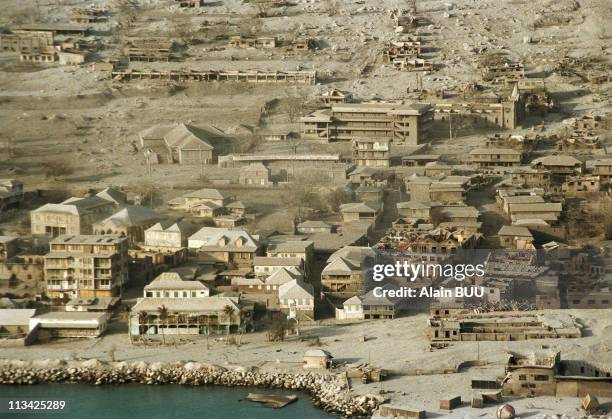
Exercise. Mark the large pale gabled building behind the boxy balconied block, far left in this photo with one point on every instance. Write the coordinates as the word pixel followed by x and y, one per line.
pixel 73 216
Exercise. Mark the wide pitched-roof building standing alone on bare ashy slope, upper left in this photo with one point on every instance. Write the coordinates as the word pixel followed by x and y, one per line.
pixel 180 143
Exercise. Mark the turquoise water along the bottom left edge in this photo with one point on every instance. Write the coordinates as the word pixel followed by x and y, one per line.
pixel 133 401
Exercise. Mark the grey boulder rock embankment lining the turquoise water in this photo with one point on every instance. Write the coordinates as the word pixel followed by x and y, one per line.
pixel 328 391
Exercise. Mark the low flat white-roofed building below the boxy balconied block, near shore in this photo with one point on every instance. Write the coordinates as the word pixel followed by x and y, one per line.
pixel 70 324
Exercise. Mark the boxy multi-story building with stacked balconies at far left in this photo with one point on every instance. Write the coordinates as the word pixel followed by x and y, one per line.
pixel 86 266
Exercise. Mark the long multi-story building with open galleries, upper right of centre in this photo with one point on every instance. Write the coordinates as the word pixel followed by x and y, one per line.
pixel 401 123
